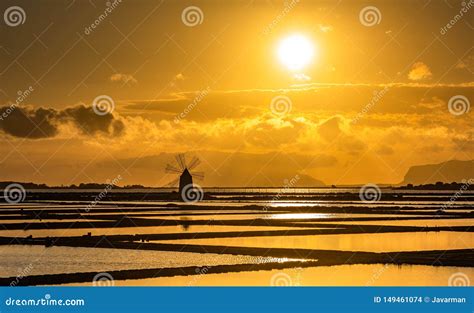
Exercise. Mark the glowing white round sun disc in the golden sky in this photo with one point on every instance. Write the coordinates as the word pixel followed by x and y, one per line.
pixel 296 52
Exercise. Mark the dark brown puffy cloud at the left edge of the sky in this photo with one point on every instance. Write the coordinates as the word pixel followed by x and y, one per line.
pixel 36 123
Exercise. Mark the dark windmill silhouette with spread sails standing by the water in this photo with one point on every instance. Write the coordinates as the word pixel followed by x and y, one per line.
pixel 187 190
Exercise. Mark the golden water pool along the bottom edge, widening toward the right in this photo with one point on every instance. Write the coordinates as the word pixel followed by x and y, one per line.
pixel 341 275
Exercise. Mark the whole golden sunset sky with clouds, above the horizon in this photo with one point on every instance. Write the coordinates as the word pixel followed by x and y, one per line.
pixel 372 102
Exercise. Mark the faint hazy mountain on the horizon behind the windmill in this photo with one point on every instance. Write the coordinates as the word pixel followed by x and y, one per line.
pixel 222 169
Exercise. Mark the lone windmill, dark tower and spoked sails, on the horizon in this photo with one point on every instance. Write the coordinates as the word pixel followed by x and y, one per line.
pixel 185 172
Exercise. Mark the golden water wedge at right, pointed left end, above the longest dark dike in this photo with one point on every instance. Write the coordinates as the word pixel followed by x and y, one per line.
pixel 383 242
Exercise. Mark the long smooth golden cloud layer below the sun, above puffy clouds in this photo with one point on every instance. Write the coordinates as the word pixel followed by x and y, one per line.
pixel 307 100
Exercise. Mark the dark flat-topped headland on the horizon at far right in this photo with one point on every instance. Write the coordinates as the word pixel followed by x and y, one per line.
pixel 450 171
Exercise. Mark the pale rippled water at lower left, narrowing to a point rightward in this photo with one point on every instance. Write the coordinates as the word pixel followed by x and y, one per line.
pixel 36 260
